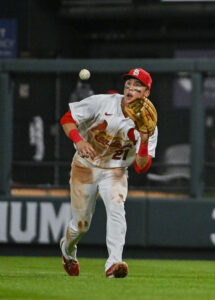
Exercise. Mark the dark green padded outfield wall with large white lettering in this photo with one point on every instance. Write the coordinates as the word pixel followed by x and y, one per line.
pixel 151 222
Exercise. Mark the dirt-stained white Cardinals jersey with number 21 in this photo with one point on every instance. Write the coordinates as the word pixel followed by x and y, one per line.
pixel 101 123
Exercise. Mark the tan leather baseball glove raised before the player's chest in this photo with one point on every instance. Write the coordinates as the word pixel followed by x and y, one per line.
pixel 144 115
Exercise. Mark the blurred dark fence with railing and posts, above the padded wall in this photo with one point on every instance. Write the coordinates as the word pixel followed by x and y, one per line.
pixel 35 94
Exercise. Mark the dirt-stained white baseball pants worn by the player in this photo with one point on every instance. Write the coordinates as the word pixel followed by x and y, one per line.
pixel 85 183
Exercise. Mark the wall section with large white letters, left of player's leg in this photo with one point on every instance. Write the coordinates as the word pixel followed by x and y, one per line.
pixel 33 221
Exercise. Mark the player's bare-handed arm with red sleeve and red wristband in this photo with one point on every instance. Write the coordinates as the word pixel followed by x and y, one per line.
pixel 70 128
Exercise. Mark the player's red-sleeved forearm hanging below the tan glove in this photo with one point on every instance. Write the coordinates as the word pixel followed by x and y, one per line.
pixel 143 160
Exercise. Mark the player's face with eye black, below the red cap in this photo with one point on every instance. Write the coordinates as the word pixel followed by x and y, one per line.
pixel 133 90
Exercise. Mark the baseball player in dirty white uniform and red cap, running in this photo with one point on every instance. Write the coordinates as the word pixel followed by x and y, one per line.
pixel 107 142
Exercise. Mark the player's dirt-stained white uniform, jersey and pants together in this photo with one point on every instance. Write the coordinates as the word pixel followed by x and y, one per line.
pixel 101 122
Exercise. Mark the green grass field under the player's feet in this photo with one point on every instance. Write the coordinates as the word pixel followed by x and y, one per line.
pixel 44 278
